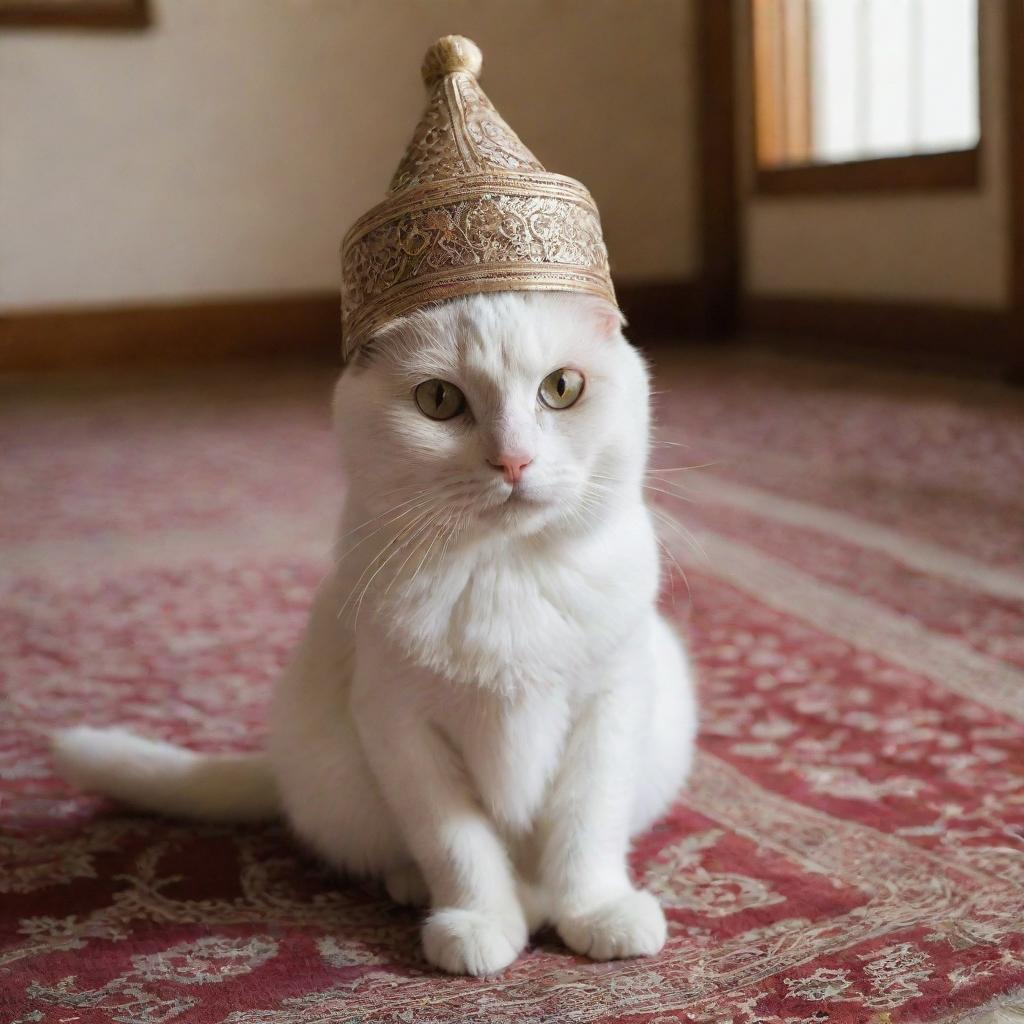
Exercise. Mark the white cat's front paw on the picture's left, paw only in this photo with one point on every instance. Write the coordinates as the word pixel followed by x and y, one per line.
pixel 472 942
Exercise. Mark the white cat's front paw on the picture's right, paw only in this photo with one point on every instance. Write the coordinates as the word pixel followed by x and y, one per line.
pixel 630 925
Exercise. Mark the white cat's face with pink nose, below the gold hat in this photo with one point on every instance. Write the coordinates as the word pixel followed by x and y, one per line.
pixel 510 412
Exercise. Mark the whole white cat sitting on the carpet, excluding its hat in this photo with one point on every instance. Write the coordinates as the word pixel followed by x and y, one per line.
pixel 487 704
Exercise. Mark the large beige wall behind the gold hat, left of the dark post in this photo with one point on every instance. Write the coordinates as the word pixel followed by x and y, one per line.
pixel 226 151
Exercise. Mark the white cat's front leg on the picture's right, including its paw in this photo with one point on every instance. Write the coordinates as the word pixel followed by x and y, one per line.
pixel 586 836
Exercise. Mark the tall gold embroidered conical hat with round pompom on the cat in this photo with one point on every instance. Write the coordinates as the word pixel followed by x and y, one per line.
pixel 470 210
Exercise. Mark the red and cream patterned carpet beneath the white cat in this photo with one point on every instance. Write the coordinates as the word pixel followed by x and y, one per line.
pixel 851 847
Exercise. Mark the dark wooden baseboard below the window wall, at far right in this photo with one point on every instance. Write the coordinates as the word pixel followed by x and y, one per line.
pixel 898 330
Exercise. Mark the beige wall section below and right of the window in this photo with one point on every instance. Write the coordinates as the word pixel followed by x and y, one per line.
pixel 947 247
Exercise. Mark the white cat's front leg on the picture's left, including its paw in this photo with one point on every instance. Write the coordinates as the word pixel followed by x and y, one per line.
pixel 477 924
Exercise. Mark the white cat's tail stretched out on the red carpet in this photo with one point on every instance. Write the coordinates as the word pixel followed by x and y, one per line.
pixel 156 777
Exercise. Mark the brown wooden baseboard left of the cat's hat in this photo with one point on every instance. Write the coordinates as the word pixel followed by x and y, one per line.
pixel 307 326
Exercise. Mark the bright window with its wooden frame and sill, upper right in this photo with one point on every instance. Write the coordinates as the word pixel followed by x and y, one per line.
pixel 866 94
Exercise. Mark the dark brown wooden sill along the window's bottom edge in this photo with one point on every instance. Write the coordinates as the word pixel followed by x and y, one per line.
pixel 923 173
